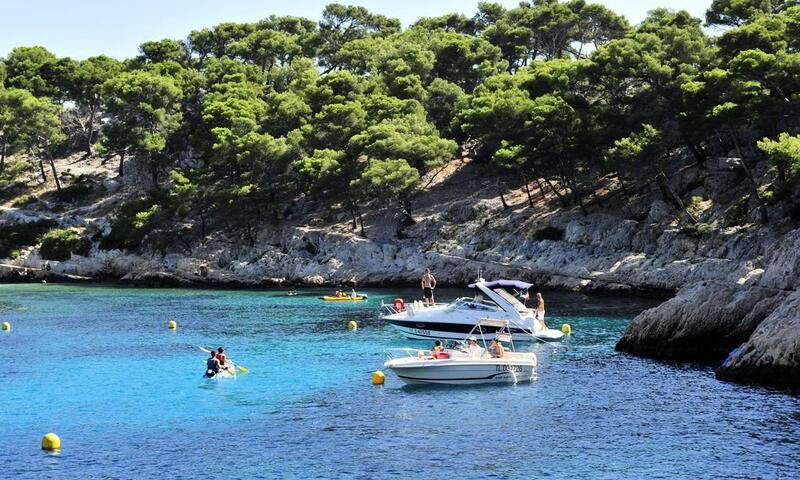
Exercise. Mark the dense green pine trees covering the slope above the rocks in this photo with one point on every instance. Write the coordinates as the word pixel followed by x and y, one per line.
pixel 235 123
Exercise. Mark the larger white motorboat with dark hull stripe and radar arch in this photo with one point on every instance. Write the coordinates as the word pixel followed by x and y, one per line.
pixel 455 320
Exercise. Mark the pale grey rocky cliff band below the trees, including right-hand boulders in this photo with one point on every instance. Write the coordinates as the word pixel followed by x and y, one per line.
pixel 731 281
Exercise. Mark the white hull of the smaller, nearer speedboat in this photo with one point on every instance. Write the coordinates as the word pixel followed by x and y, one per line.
pixel 462 372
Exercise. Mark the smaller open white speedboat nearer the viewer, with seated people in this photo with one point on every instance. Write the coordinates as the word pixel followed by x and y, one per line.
pixel 456 365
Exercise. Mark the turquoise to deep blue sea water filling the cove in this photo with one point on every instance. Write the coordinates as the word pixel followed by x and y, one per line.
pixel 98 366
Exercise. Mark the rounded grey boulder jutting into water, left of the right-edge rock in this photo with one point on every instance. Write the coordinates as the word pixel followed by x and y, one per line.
pixel 703 322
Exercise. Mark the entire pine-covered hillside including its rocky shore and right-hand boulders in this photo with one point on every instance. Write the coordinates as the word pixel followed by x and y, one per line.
pixel 553 142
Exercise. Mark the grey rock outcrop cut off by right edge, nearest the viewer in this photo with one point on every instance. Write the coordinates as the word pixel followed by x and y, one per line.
pixel 772 354
